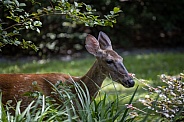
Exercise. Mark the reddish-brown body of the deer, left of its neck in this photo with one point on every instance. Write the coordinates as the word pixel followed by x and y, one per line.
pixel 14 86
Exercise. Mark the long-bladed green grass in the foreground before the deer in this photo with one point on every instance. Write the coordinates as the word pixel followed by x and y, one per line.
pixel 71 109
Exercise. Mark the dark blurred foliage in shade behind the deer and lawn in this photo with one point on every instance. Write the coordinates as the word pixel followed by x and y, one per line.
pixel 143 24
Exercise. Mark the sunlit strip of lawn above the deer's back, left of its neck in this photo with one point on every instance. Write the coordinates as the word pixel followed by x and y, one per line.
pixel 75 67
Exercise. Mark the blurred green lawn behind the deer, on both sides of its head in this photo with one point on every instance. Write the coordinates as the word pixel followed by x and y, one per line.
pixel 146 66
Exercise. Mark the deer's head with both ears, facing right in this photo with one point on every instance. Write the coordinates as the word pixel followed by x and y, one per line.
pixel 110 62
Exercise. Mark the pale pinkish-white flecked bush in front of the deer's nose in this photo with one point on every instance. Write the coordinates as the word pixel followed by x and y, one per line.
pixel 166 100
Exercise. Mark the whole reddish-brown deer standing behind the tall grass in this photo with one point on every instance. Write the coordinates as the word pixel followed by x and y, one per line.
pixel 108 64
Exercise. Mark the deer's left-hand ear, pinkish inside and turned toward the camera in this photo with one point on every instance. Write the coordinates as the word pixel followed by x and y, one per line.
pixel 92 44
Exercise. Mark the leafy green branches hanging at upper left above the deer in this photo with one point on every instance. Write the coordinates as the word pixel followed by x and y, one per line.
pixel 81 13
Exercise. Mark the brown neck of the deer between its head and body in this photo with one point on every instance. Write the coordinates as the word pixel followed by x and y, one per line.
pixel 94 78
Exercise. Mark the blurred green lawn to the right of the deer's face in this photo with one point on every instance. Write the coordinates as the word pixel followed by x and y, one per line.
pixel 149 66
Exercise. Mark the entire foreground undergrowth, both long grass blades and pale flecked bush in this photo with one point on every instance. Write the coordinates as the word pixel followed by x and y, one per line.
pixel 163 103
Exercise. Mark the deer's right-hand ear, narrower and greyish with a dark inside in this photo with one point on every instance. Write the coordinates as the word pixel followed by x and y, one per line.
pixel 104 40
